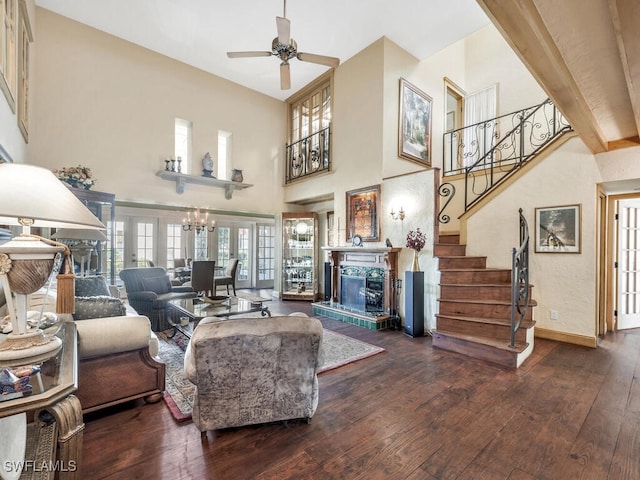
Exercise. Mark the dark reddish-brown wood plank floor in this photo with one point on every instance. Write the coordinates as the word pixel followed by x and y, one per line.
pixel 412 412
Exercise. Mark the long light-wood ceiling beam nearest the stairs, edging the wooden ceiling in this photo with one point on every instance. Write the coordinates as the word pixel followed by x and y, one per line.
pixel 521 25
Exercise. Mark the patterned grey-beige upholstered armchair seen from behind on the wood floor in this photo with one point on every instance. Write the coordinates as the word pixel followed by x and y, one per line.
pixel 253 370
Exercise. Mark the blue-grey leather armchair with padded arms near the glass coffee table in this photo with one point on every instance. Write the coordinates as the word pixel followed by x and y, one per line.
pixel 149 290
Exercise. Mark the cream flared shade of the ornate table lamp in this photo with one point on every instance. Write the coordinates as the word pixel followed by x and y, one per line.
pixel 31 192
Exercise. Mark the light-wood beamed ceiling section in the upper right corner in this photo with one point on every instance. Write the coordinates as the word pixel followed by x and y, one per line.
pixel 586 55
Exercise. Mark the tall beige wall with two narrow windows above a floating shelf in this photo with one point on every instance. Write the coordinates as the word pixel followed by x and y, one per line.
pixel 110 105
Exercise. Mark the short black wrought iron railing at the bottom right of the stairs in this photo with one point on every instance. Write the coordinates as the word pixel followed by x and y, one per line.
pixel 519 280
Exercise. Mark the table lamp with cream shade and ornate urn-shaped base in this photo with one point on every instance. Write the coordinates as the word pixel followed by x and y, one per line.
pixel 33 196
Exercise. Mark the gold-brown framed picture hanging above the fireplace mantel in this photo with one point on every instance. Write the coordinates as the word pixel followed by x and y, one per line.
pixel 363 206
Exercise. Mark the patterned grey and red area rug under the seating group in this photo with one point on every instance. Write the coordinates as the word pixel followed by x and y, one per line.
pixel 339 350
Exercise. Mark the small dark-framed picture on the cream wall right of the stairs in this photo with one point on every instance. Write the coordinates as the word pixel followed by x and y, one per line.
pixel 558 229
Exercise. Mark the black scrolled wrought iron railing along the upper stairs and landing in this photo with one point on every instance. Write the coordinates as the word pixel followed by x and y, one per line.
pixel 486 157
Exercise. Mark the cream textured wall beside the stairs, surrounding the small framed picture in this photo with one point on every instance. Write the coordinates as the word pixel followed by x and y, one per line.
pixel 562 282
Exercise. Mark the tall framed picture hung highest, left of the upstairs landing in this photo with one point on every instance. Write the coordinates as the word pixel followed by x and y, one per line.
pixel 414 125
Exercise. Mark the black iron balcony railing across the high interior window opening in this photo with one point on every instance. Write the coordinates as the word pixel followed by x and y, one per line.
pixel 308 156
